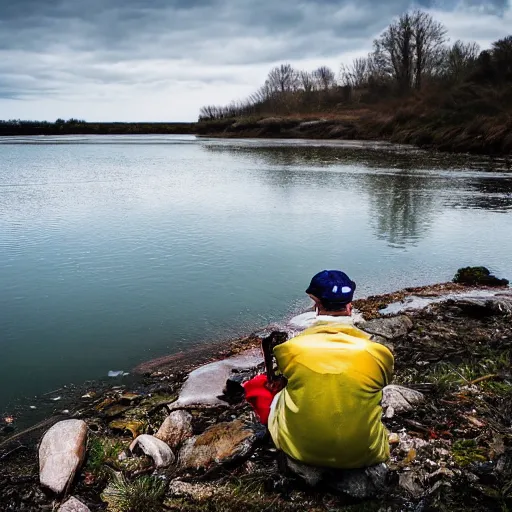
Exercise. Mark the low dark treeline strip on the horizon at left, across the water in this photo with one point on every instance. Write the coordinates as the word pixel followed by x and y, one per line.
pixel 77 127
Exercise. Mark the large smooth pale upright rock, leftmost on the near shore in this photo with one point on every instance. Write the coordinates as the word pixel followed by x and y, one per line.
pixel 61 453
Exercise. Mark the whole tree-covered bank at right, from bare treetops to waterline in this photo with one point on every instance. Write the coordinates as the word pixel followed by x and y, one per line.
pixel 412 88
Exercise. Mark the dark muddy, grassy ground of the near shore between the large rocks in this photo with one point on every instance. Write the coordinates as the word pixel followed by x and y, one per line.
pixel 457 353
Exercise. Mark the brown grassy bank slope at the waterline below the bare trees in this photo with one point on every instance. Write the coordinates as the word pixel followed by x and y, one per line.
pixel 483 135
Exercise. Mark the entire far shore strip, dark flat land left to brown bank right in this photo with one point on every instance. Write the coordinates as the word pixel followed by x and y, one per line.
pixel 363 125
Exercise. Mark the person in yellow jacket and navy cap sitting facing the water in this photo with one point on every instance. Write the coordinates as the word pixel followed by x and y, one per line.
pixel 323 404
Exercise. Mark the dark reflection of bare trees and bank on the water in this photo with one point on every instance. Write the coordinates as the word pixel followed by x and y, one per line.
pixel 404 194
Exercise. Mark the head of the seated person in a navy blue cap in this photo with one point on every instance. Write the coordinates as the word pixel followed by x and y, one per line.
pixel 332 291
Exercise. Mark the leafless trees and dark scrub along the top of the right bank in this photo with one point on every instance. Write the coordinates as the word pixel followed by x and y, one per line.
pixel 410 55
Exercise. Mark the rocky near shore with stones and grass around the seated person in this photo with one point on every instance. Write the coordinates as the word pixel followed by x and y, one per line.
pixel 181 438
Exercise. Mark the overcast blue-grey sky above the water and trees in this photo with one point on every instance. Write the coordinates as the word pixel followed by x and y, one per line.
pixel 161 60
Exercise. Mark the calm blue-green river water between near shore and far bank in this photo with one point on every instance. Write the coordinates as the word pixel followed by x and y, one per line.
pixel 115 250
